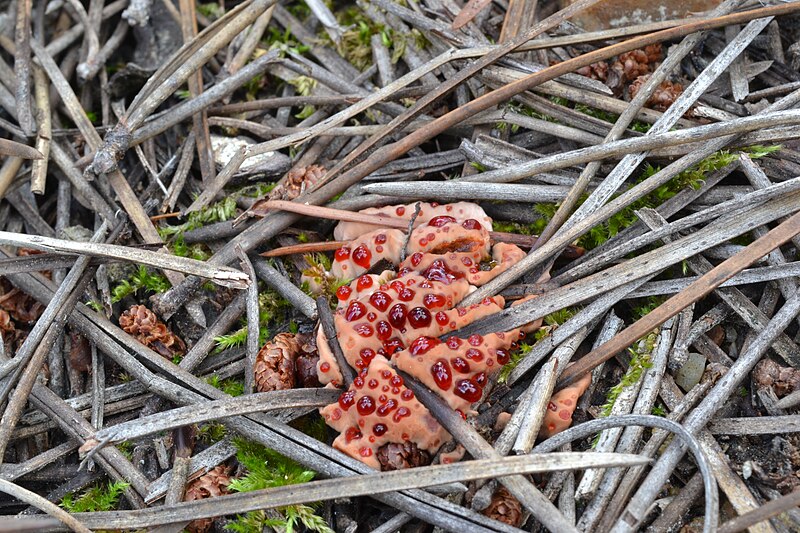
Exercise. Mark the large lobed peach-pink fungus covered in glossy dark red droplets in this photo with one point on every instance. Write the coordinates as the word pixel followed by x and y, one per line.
pixel 401 321
